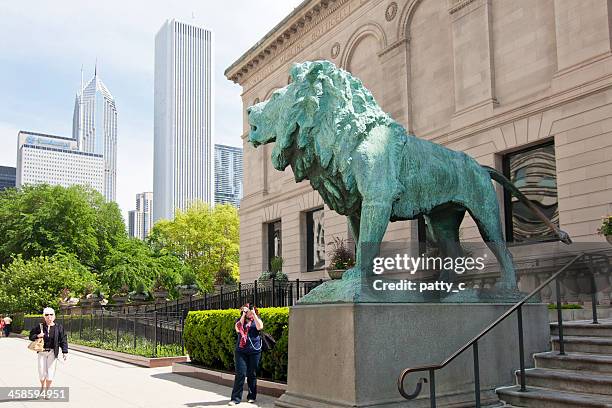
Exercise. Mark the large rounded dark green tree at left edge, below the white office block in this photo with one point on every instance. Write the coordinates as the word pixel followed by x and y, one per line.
pixel 43 220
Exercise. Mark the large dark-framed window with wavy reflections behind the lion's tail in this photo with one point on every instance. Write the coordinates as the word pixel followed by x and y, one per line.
pixel 533 171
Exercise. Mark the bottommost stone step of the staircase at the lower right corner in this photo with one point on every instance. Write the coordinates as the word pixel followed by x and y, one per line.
pixel 536 397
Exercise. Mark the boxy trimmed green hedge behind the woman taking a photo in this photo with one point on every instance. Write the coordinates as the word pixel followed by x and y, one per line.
pixel 210 339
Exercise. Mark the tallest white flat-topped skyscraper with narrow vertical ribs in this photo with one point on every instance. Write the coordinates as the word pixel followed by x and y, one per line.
pixel 183 150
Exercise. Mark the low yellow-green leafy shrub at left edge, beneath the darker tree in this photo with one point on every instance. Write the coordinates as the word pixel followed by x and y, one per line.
pixel 30 285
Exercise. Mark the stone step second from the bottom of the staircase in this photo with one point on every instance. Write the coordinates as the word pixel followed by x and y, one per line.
pixel 567 380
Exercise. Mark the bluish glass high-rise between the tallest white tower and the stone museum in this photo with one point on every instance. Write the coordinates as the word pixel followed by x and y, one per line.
pixel 228 175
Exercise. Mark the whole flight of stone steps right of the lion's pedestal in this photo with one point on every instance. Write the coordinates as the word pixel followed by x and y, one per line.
pixel 582 378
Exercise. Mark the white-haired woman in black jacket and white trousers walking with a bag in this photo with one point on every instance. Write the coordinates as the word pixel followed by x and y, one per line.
pixel 54 339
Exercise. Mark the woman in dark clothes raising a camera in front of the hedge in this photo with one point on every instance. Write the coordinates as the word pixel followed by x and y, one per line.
pixel 247 353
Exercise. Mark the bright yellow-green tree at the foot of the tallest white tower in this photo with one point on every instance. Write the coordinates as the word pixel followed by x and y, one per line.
pixel 206 238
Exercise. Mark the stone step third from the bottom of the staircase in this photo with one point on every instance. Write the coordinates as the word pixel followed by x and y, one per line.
pixel 598 363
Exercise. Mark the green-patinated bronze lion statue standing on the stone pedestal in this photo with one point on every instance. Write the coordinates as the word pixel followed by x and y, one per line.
pixel 330 130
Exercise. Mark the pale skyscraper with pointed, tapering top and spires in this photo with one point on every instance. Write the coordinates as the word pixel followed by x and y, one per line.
pixel 94 127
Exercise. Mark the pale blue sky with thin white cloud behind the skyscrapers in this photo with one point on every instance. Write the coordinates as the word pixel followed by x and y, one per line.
pixel 43 46
